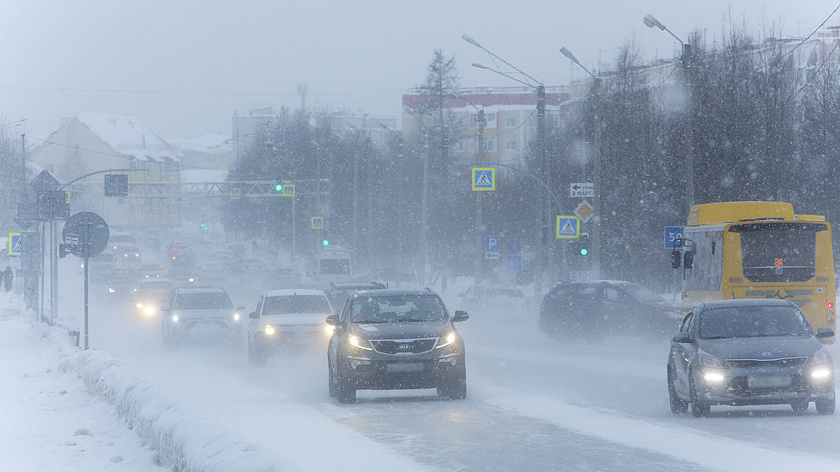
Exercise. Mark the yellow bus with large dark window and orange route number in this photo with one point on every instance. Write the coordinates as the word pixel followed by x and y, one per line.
pixel 759 250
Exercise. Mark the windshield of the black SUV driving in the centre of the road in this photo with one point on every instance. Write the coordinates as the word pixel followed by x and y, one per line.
pixel 397 308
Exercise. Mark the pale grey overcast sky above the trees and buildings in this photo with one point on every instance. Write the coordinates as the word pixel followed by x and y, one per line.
pixel 183 66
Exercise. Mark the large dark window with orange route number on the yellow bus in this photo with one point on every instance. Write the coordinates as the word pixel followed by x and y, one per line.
pixel 778 252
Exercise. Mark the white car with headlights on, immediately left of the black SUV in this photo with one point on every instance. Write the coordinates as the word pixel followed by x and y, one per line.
pixel 287 318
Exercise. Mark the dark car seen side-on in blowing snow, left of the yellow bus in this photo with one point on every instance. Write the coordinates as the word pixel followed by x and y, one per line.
pixel 593 309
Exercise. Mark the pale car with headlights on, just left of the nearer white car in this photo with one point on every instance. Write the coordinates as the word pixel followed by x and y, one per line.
pixel 200 315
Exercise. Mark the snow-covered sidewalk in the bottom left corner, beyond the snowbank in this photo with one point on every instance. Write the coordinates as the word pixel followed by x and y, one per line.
pixel 48 420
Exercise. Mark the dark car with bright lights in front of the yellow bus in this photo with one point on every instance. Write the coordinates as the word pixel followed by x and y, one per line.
pixel 749 352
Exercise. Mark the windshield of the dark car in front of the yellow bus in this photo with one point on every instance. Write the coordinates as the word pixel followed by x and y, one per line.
pixel 752 321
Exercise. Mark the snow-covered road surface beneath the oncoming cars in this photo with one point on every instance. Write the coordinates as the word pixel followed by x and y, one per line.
pixel 533 404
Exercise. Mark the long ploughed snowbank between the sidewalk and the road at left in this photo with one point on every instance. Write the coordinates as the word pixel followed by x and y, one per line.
pixel 183 438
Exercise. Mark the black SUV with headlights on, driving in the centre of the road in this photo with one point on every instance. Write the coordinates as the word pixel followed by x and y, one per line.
pixel 396 339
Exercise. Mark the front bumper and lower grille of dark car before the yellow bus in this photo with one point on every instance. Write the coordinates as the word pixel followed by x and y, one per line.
pixel 764 385
